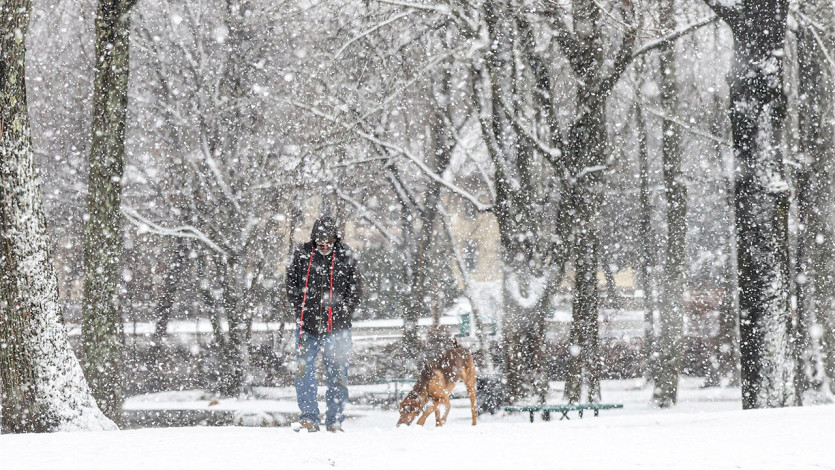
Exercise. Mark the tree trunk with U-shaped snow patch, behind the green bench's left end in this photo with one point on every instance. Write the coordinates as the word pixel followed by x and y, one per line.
pixel 516 176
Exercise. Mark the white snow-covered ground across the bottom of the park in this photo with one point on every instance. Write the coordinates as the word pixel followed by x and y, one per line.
pixel 706 430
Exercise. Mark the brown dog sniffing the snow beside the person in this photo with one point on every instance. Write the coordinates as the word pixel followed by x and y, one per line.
pixel 436 381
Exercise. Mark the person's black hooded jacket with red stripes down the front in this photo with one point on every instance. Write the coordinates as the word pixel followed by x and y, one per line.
pixel 347 285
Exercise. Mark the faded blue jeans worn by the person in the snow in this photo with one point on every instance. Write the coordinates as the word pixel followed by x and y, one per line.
pixel 336 352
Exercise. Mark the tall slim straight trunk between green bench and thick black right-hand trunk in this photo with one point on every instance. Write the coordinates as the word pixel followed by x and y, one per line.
pixel 671 319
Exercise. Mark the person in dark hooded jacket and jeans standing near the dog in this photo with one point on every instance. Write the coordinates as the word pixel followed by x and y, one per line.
pixel 324 288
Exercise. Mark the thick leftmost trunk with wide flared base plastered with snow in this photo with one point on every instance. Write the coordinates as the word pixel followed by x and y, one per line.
pixel 43 386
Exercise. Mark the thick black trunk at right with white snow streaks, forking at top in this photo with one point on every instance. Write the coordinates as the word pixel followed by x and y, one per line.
pixel 758 108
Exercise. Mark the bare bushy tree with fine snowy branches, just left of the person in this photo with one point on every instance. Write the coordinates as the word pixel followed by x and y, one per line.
pixel 229 177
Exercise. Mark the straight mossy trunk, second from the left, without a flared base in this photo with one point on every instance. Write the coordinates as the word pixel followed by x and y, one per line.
pixel 101 326
